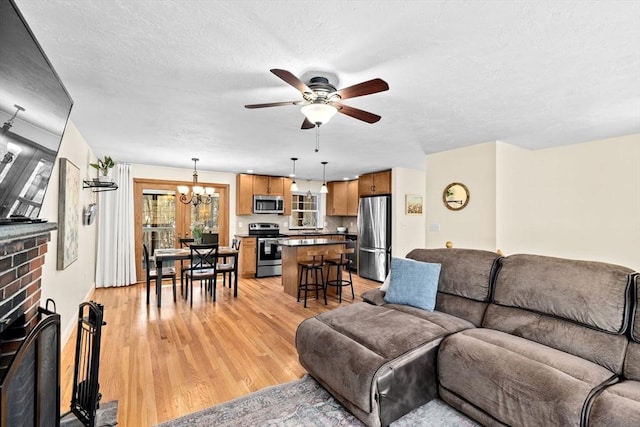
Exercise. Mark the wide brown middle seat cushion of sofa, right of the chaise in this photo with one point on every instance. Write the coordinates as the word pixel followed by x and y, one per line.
pixel 517 381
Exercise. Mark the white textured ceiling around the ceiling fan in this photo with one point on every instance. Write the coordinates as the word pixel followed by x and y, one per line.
pixel 158 82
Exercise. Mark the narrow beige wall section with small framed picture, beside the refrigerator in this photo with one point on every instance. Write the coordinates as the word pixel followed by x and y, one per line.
pixel 408 231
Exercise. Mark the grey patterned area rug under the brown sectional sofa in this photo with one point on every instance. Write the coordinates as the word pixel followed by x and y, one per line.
pixel 304 403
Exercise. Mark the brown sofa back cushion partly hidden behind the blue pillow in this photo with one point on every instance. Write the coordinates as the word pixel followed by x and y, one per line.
pixel 464 272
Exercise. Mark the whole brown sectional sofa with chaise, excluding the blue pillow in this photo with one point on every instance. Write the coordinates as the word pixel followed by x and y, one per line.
pixel 519 340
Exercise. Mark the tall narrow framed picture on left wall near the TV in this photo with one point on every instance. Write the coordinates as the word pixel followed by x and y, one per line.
pixel 68 213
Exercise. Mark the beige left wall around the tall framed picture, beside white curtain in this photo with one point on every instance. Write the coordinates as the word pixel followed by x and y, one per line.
pixel 73 285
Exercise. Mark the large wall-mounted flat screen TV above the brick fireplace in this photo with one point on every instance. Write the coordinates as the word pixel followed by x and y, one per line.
pixel 34 109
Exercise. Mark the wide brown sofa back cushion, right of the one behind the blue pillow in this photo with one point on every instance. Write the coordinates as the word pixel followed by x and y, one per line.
pixel 594 294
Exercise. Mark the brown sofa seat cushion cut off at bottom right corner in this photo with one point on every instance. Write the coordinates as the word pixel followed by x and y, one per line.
pixel 617 405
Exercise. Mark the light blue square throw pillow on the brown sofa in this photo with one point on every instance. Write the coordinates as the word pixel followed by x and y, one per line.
pixel 413 283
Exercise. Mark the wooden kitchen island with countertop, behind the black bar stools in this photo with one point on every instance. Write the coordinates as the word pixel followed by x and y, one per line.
pixel 294 250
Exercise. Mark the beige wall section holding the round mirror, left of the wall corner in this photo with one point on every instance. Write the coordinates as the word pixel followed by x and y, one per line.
pixel 475 225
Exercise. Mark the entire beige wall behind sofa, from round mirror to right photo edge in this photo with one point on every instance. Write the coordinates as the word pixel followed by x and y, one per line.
pixel 578 201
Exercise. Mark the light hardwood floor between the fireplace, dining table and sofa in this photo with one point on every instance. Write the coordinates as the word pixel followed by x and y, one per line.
pixel 163 363
